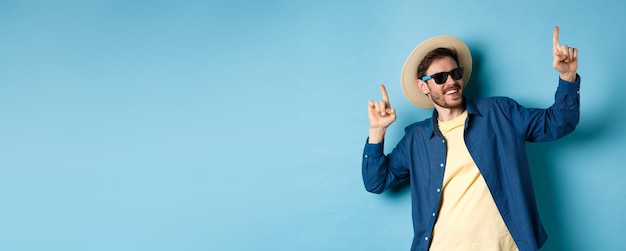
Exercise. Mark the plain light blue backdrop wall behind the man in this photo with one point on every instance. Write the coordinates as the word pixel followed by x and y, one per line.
pixel 239 125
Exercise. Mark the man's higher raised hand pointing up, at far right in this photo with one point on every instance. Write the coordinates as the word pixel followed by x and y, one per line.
pixel 565 58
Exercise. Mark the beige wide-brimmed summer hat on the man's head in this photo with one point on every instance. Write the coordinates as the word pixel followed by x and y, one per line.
pixel 409 70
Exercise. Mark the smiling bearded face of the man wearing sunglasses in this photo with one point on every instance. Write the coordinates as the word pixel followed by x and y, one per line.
pixel 449 94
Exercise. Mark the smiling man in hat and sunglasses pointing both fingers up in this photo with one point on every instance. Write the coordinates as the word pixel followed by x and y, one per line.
pixel 470 182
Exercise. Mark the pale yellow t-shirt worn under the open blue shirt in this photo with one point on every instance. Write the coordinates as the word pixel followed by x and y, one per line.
pixel 468 217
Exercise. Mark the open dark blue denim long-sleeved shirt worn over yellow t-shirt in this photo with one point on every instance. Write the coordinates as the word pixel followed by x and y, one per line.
pixel 495 134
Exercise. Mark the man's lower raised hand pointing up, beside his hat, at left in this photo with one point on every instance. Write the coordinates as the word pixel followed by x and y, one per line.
pixel 381 115
